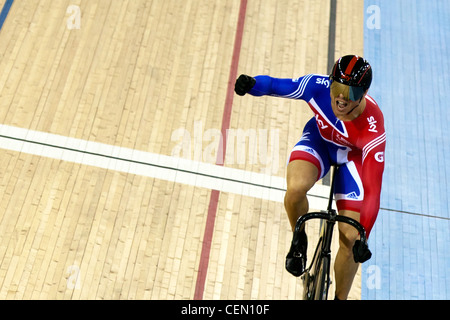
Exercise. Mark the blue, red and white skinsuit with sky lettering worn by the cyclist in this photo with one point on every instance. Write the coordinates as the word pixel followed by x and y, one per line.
pixel 358 146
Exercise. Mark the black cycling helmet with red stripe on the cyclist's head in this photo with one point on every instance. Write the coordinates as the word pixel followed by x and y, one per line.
pixel 355 72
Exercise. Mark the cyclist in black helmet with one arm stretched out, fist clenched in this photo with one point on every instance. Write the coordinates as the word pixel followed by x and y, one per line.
pixel 347 129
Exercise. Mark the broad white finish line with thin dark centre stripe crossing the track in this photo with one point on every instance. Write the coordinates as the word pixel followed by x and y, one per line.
pixel 174 169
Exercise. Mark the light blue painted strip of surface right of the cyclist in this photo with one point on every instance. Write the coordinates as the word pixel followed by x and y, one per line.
pixel 408 44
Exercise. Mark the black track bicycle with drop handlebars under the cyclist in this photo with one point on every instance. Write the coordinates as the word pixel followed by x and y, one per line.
pixel 316 278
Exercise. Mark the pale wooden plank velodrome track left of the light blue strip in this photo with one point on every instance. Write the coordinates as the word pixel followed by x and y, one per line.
pixel 134 74
